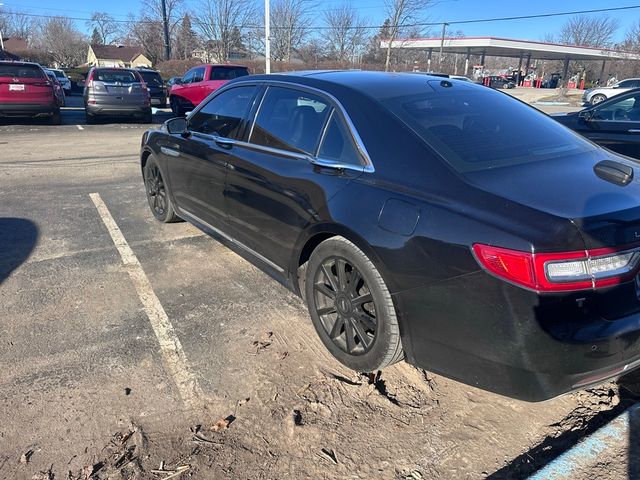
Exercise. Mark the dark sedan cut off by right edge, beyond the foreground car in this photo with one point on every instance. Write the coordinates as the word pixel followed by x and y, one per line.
pixel 613 123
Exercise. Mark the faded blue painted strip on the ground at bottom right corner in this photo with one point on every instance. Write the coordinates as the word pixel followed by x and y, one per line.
pixel 587 451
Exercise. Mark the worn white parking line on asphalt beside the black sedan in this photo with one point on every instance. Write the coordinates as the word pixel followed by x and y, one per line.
pixel 172 353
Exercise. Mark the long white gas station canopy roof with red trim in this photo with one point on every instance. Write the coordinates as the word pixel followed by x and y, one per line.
pixel 505 47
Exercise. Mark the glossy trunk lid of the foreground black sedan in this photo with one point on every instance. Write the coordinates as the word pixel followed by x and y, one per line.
pixel 607 214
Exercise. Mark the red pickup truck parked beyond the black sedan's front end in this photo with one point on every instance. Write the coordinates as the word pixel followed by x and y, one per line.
pixel 199 82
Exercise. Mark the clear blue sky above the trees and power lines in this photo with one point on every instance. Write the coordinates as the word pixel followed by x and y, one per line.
pixel 372 10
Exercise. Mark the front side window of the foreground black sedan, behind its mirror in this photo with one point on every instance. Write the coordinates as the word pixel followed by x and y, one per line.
pixel 223 114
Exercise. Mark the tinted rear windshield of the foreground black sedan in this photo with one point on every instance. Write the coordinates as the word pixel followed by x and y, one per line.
pixel 480 129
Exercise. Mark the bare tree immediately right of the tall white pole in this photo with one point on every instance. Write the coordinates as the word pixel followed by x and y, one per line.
pixel 289 27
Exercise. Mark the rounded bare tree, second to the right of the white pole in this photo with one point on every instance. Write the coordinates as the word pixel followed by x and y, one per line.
pixel 346 32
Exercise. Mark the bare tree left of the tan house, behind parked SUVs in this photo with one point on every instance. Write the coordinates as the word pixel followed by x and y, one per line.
pixel 59 37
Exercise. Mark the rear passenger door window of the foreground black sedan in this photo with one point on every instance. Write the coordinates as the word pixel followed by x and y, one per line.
pixel 290 120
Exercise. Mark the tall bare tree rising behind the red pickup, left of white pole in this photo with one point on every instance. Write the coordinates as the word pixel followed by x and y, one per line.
pixel 219 22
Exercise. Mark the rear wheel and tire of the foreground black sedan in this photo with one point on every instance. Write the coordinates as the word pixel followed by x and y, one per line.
pixel 356 321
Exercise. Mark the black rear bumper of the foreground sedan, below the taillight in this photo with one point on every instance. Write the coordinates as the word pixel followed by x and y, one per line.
pixel 498 337
